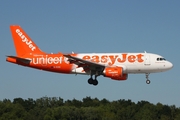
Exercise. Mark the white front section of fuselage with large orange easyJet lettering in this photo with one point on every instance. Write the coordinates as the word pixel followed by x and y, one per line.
pixel 130 62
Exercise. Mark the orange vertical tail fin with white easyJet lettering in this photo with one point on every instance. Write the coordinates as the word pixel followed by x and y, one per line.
pixel 22 42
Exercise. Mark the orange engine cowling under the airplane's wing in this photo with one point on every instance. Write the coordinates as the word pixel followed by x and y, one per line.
pixel 115 73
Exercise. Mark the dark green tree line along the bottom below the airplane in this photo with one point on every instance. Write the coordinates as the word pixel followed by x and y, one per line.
pixel 55 108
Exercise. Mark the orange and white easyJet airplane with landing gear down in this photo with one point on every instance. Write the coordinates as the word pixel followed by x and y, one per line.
pixel 116 66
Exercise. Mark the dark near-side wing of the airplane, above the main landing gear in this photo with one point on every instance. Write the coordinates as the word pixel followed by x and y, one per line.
pixel 88 66
